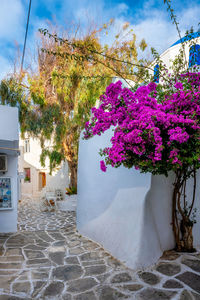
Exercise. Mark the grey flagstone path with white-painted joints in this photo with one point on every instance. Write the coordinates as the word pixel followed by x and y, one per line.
pixel 48 259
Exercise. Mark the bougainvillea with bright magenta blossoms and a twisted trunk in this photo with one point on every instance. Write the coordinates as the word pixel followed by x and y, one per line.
pixel 157 130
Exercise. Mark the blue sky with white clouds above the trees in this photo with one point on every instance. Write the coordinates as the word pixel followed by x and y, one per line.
pixel 148 19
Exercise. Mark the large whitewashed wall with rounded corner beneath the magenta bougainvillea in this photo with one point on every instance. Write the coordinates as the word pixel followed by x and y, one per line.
pixel 129 213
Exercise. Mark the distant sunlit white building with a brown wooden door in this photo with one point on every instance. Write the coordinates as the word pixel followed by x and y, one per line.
pixel 36 178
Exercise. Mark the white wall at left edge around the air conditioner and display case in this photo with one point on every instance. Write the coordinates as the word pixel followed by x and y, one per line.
pixel 9 144
